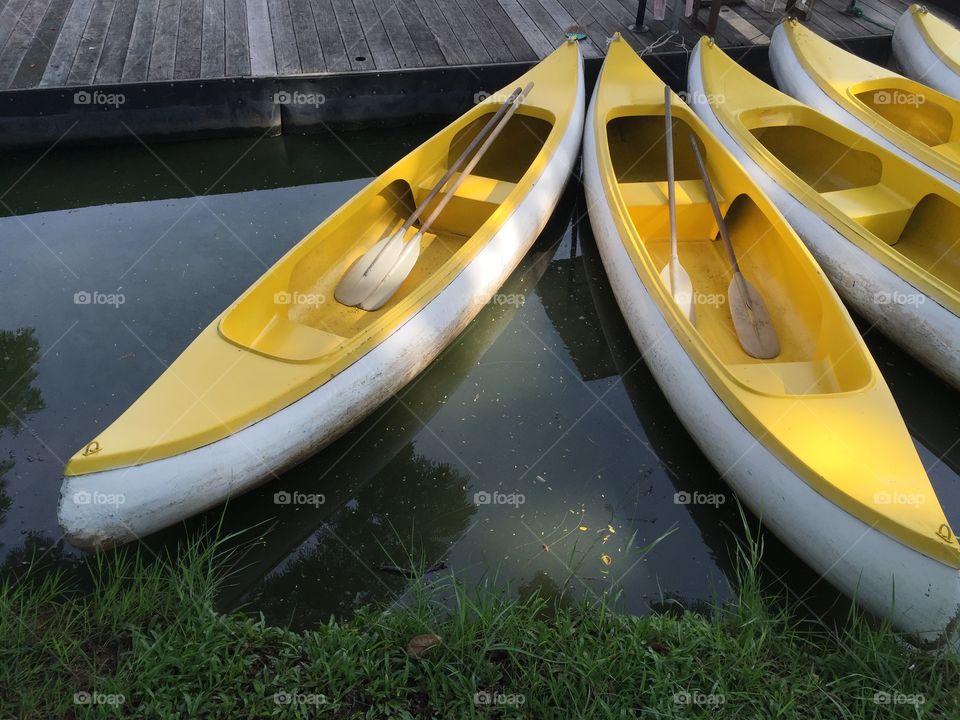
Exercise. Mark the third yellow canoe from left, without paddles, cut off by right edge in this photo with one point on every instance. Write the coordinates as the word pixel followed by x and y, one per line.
pixel 884 231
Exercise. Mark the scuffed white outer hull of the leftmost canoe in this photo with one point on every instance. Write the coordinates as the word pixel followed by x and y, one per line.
pixel 117 506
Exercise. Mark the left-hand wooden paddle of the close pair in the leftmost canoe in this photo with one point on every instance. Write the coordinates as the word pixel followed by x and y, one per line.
pixel 369 270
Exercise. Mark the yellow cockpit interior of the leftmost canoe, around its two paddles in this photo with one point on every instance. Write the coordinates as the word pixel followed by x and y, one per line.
pixel 291 314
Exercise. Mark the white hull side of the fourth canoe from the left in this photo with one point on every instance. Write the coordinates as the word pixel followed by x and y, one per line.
pixel 793 79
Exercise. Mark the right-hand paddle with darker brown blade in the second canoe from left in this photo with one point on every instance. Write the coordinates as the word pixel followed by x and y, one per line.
pixel 751 319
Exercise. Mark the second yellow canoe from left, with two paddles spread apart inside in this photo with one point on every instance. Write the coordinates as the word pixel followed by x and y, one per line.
pixel 811 439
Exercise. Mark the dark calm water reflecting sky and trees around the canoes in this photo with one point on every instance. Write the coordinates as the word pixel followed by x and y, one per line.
pixel 543 402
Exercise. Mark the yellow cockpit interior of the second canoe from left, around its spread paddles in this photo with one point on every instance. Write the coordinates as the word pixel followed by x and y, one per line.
pixel 803 315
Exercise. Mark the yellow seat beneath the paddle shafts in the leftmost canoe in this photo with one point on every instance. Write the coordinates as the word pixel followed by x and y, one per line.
pixel 472 203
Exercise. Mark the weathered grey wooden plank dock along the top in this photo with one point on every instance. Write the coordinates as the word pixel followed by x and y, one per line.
pixel 58 43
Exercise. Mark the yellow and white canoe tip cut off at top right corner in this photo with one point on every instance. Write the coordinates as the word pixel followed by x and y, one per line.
pixel 928 49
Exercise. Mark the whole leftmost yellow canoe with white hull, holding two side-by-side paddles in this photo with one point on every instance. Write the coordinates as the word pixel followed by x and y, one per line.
pixel 286 368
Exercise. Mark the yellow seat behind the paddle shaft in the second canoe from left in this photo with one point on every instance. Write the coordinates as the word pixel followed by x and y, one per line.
pixel 646 201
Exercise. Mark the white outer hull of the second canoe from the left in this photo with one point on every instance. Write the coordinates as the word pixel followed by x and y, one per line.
pixel 920 595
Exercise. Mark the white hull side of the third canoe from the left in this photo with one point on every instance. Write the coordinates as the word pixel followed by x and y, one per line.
pixel 924 328
